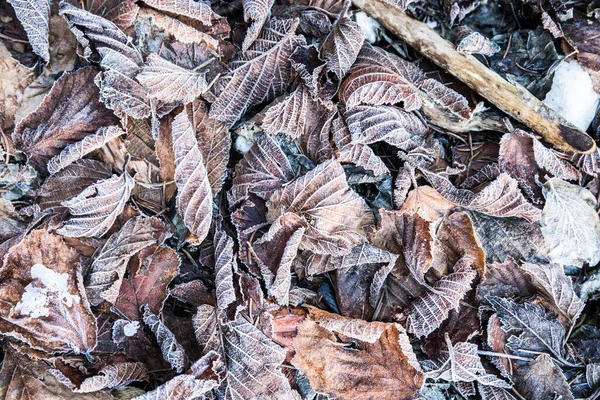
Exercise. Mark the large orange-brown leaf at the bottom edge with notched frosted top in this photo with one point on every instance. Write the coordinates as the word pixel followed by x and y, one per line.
pixel 385 369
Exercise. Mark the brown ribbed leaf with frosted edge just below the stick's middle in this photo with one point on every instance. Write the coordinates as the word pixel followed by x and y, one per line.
pixel 379 77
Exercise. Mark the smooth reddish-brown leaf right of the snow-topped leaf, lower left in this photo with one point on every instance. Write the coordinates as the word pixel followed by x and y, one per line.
pixel 147 283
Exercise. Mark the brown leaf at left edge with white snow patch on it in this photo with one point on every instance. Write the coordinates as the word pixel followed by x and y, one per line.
pixel 43 302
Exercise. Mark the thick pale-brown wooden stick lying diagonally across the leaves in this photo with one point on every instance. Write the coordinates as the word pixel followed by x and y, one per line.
pixel 514 100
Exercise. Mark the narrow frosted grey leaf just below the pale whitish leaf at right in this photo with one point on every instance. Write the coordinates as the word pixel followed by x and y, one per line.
pixel 551 280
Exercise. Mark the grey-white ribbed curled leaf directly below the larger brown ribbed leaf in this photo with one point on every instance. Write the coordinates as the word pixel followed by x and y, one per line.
pixel 370 124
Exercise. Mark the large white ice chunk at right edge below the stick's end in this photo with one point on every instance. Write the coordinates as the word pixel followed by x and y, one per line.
pixel 572 94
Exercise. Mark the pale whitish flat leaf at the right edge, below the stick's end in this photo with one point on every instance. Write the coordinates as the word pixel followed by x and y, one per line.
pixel 570 224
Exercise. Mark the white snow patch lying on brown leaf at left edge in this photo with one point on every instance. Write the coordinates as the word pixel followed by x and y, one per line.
pixel 46 286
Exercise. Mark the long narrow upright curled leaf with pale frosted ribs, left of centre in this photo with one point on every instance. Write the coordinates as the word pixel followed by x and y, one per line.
pixel 194 197
